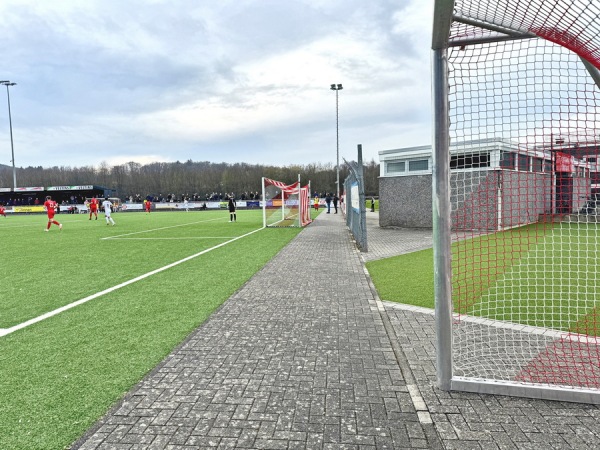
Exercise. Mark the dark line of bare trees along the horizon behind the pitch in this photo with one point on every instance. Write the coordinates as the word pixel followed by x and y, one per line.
pixel 186 178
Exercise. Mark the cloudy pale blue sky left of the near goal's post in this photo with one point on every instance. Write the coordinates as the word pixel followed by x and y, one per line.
pixel 114 81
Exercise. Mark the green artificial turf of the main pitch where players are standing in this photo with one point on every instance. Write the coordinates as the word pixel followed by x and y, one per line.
pixel 58 376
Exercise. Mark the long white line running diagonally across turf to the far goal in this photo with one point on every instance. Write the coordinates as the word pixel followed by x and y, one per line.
pixel 6 331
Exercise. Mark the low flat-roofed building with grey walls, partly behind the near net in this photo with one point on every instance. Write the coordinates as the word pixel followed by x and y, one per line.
pixel 495 184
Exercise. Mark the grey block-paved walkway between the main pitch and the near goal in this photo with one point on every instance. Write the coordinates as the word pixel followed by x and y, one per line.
pixel 319 362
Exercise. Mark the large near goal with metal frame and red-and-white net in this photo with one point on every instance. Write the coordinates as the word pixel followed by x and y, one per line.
pixel 517 196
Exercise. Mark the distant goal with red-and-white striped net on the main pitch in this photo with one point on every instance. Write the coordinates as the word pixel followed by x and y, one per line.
pixel 285 205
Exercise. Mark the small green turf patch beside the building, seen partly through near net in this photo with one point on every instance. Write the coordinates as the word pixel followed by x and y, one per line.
pixel 541 275
